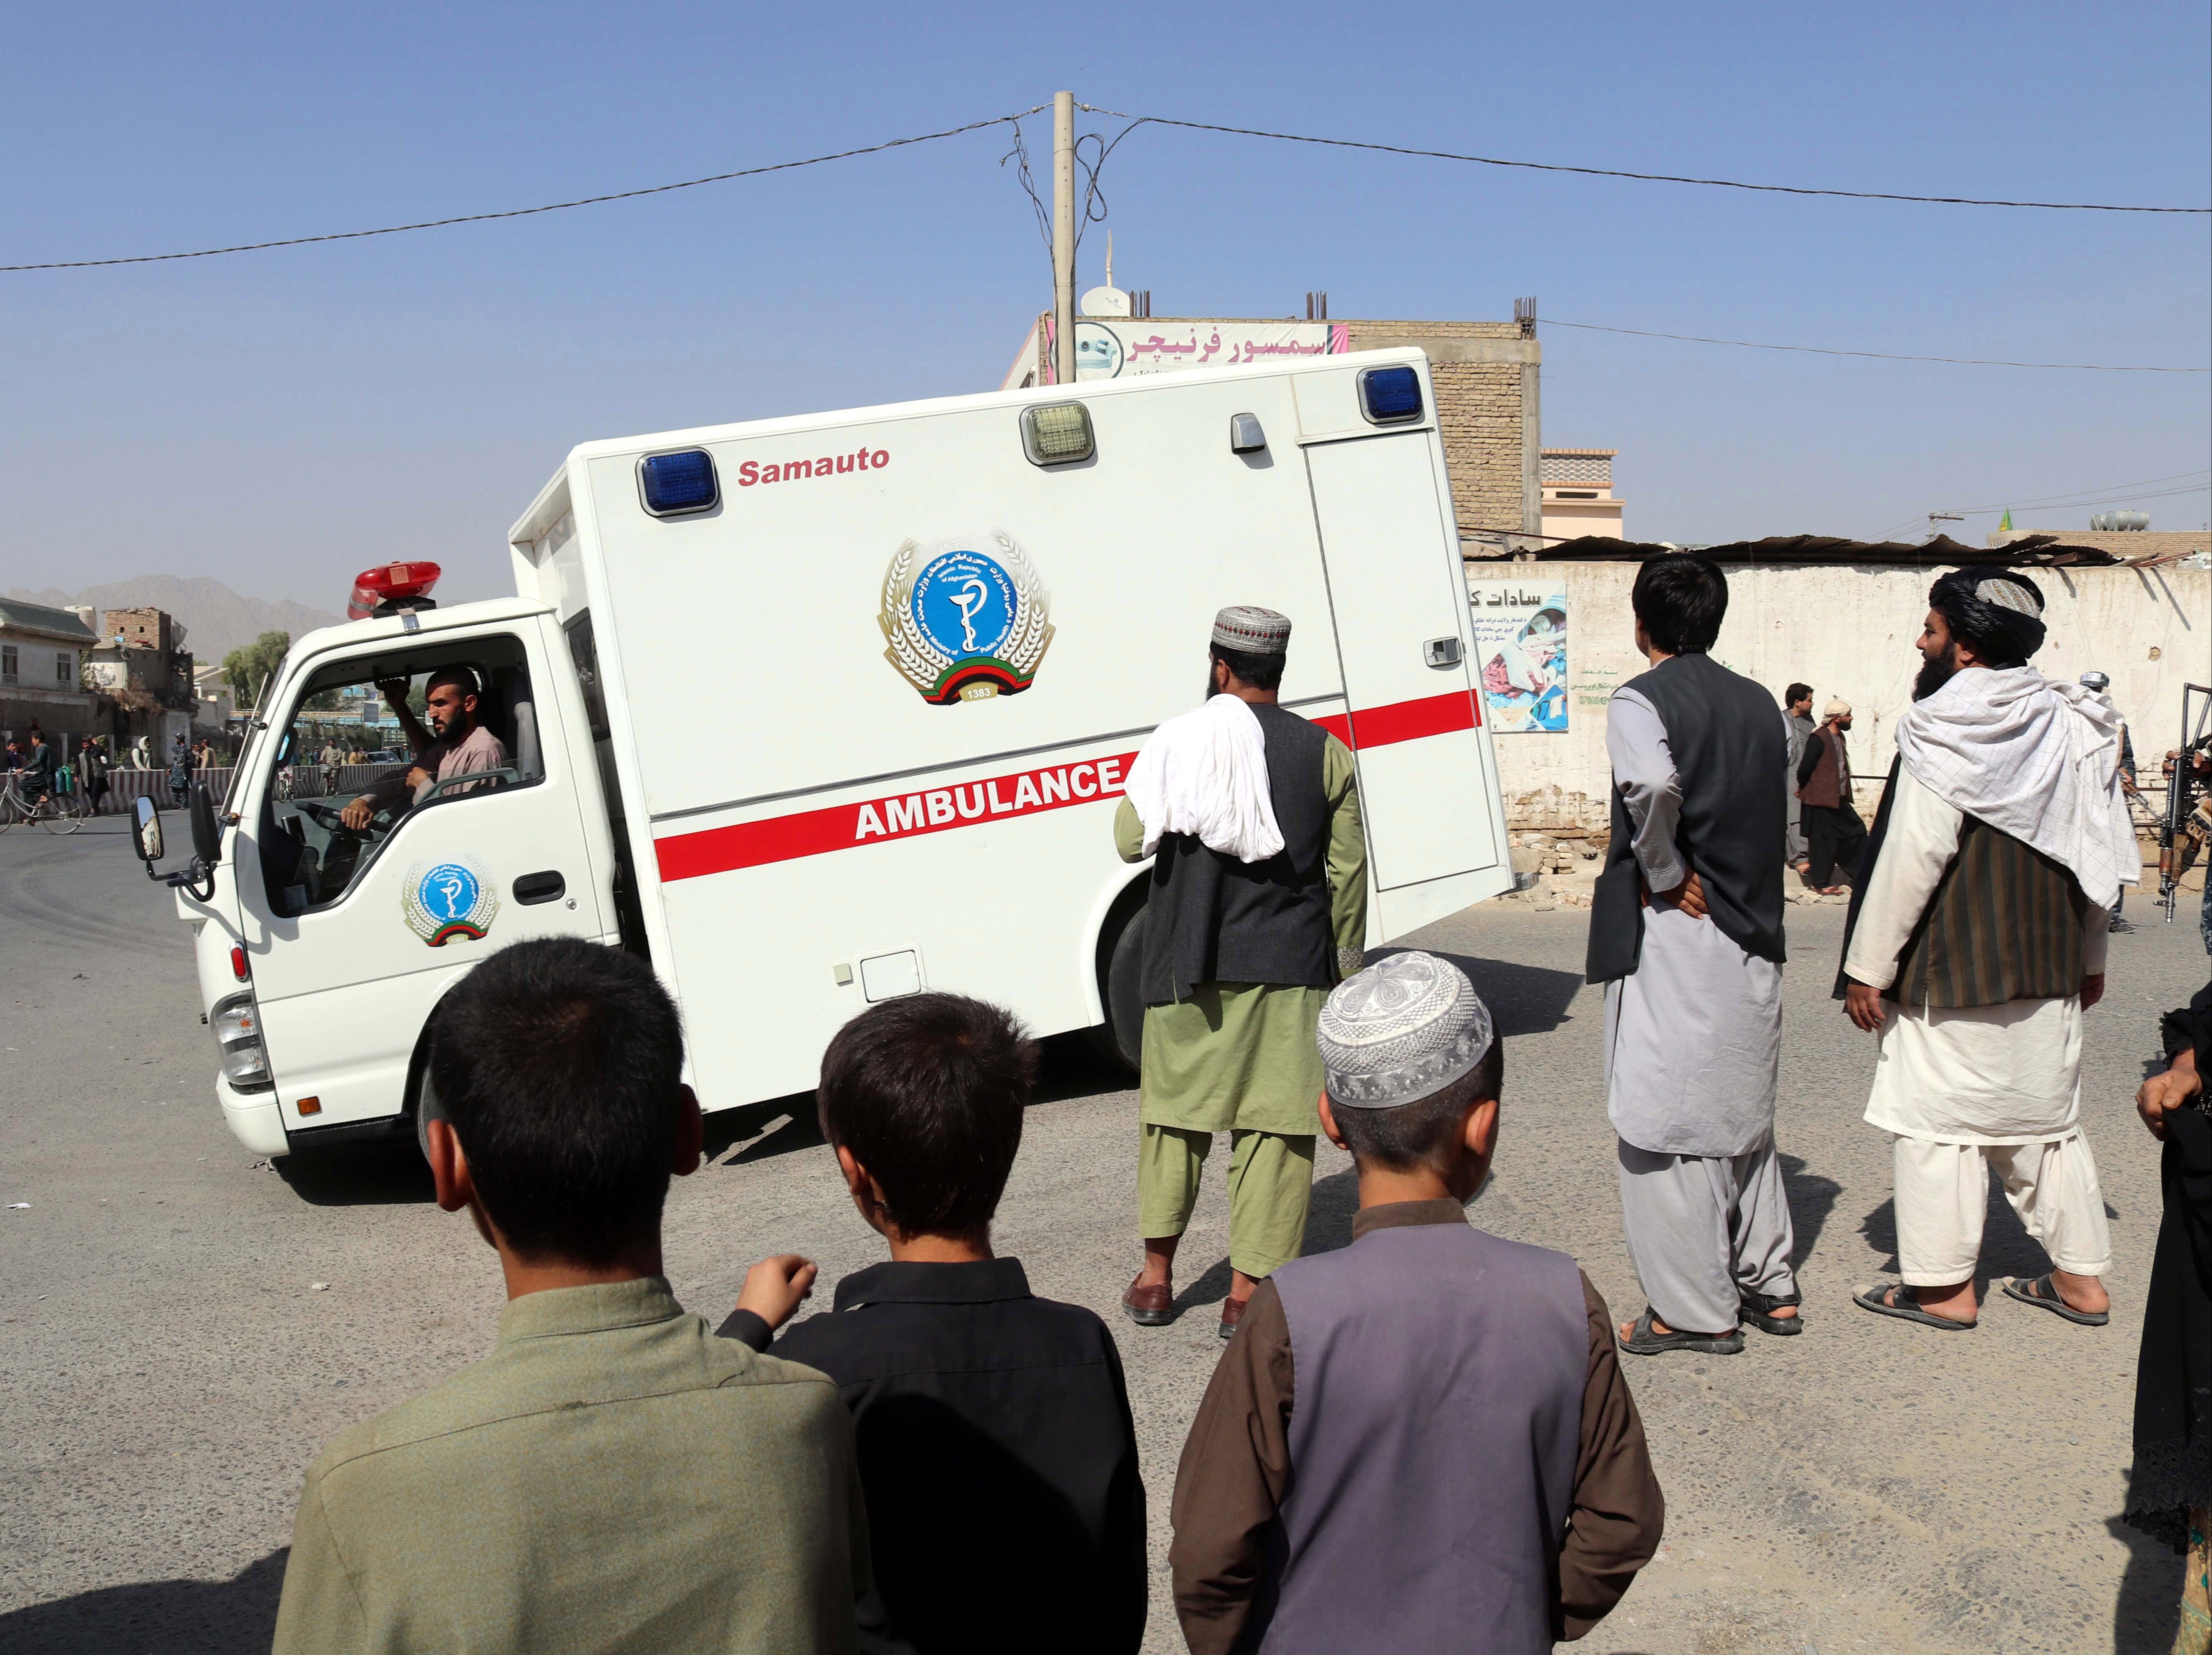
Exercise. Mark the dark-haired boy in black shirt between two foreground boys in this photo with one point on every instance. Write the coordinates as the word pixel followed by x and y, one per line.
pixel 994 1435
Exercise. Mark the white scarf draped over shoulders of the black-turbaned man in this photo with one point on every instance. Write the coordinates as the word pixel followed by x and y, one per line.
pixel 2036 760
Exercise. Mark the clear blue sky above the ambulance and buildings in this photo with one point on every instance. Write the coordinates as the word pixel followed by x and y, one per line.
pixel 282 419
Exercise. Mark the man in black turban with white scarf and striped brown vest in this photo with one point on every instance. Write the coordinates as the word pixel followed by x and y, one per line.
pixel 1976 944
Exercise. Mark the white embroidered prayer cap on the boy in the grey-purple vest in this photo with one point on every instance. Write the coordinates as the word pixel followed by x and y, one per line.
pixel 1401 1030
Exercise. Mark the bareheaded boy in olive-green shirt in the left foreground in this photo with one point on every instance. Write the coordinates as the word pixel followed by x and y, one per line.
pixel 612 1475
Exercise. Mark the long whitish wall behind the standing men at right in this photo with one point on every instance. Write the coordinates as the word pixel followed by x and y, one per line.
pixel 1850 634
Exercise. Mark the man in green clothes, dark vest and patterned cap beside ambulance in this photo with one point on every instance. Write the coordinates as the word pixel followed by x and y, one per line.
pixel 1258 908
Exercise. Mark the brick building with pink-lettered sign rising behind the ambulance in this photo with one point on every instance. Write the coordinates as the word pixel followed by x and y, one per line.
pixel 1485 377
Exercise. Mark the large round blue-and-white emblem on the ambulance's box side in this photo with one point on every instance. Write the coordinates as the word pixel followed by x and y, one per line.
pixel 966 618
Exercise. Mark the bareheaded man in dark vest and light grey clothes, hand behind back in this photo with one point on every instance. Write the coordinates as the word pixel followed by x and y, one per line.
pixel 1687 935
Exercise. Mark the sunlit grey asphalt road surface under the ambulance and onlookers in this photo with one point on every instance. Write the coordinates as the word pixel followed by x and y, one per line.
pixel 169 1364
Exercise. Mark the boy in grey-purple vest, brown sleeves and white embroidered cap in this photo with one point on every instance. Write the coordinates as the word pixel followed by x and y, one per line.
pixel 1421 1441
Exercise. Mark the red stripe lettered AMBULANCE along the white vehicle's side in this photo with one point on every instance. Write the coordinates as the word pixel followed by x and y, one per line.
pixel 1023 793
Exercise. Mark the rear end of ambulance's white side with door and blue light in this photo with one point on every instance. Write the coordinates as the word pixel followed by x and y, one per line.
pixel 1399 596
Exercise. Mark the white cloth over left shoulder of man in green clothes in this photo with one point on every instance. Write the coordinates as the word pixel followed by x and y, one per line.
pixel 1204 773
